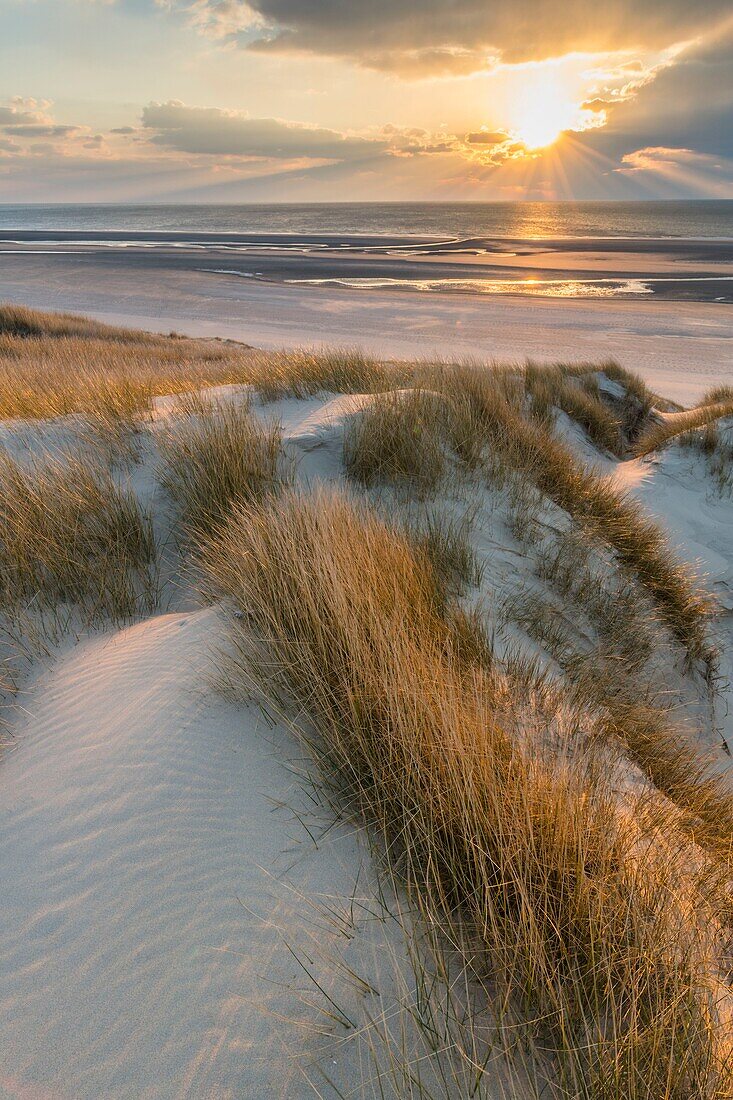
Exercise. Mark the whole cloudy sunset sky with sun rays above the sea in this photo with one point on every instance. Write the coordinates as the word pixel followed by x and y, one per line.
pixel 358 101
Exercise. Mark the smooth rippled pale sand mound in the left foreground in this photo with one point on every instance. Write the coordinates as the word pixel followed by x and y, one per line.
pixel 152 870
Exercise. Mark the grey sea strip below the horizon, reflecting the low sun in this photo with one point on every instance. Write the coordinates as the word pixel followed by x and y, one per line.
pixel 662 221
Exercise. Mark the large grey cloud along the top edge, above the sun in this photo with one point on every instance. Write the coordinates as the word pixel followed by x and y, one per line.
pixel 421 37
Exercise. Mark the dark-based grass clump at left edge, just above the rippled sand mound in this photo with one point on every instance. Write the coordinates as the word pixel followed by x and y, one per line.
pixel 71 537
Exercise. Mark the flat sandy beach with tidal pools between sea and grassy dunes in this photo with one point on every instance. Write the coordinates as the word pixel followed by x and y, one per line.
pixel 565 301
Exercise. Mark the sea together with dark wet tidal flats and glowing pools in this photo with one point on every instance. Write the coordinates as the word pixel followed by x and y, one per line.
pixel 434 248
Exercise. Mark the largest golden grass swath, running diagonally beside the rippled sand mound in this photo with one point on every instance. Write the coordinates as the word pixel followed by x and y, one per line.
pixel 595 919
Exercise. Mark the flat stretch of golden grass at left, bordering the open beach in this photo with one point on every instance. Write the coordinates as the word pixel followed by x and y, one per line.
pixel 52 365
